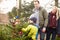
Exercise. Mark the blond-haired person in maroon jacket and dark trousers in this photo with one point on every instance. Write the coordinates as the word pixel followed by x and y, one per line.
pixel 52 24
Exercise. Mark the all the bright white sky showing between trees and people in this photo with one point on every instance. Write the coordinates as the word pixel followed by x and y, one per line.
pixel 7 5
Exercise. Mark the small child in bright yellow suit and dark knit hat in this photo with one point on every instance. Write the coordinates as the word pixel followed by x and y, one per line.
pixel 32 27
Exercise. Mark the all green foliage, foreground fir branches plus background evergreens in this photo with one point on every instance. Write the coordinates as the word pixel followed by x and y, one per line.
pixel 9 32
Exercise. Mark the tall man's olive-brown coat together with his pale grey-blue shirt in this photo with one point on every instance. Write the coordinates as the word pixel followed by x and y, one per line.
pixel 41 15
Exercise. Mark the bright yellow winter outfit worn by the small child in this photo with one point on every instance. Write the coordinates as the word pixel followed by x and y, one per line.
pixel 33 30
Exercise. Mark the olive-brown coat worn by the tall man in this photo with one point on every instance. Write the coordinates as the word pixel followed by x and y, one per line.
pixel 43 17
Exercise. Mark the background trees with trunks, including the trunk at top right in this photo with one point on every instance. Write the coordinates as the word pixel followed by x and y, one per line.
pixel 24 10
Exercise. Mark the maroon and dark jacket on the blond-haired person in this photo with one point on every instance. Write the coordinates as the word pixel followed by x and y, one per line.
pixel 52 22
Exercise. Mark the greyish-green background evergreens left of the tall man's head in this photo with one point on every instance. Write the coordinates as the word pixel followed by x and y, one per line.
pixel 24 11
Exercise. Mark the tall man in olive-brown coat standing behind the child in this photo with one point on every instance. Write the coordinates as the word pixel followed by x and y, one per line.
pixel 42 18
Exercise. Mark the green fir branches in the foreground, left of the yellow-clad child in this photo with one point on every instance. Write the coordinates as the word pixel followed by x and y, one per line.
pixel 9 32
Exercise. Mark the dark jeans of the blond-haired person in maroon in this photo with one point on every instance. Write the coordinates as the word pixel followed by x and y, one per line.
pixel 49 32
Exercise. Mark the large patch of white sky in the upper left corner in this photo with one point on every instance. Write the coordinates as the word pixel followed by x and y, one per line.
pixel 7 5
